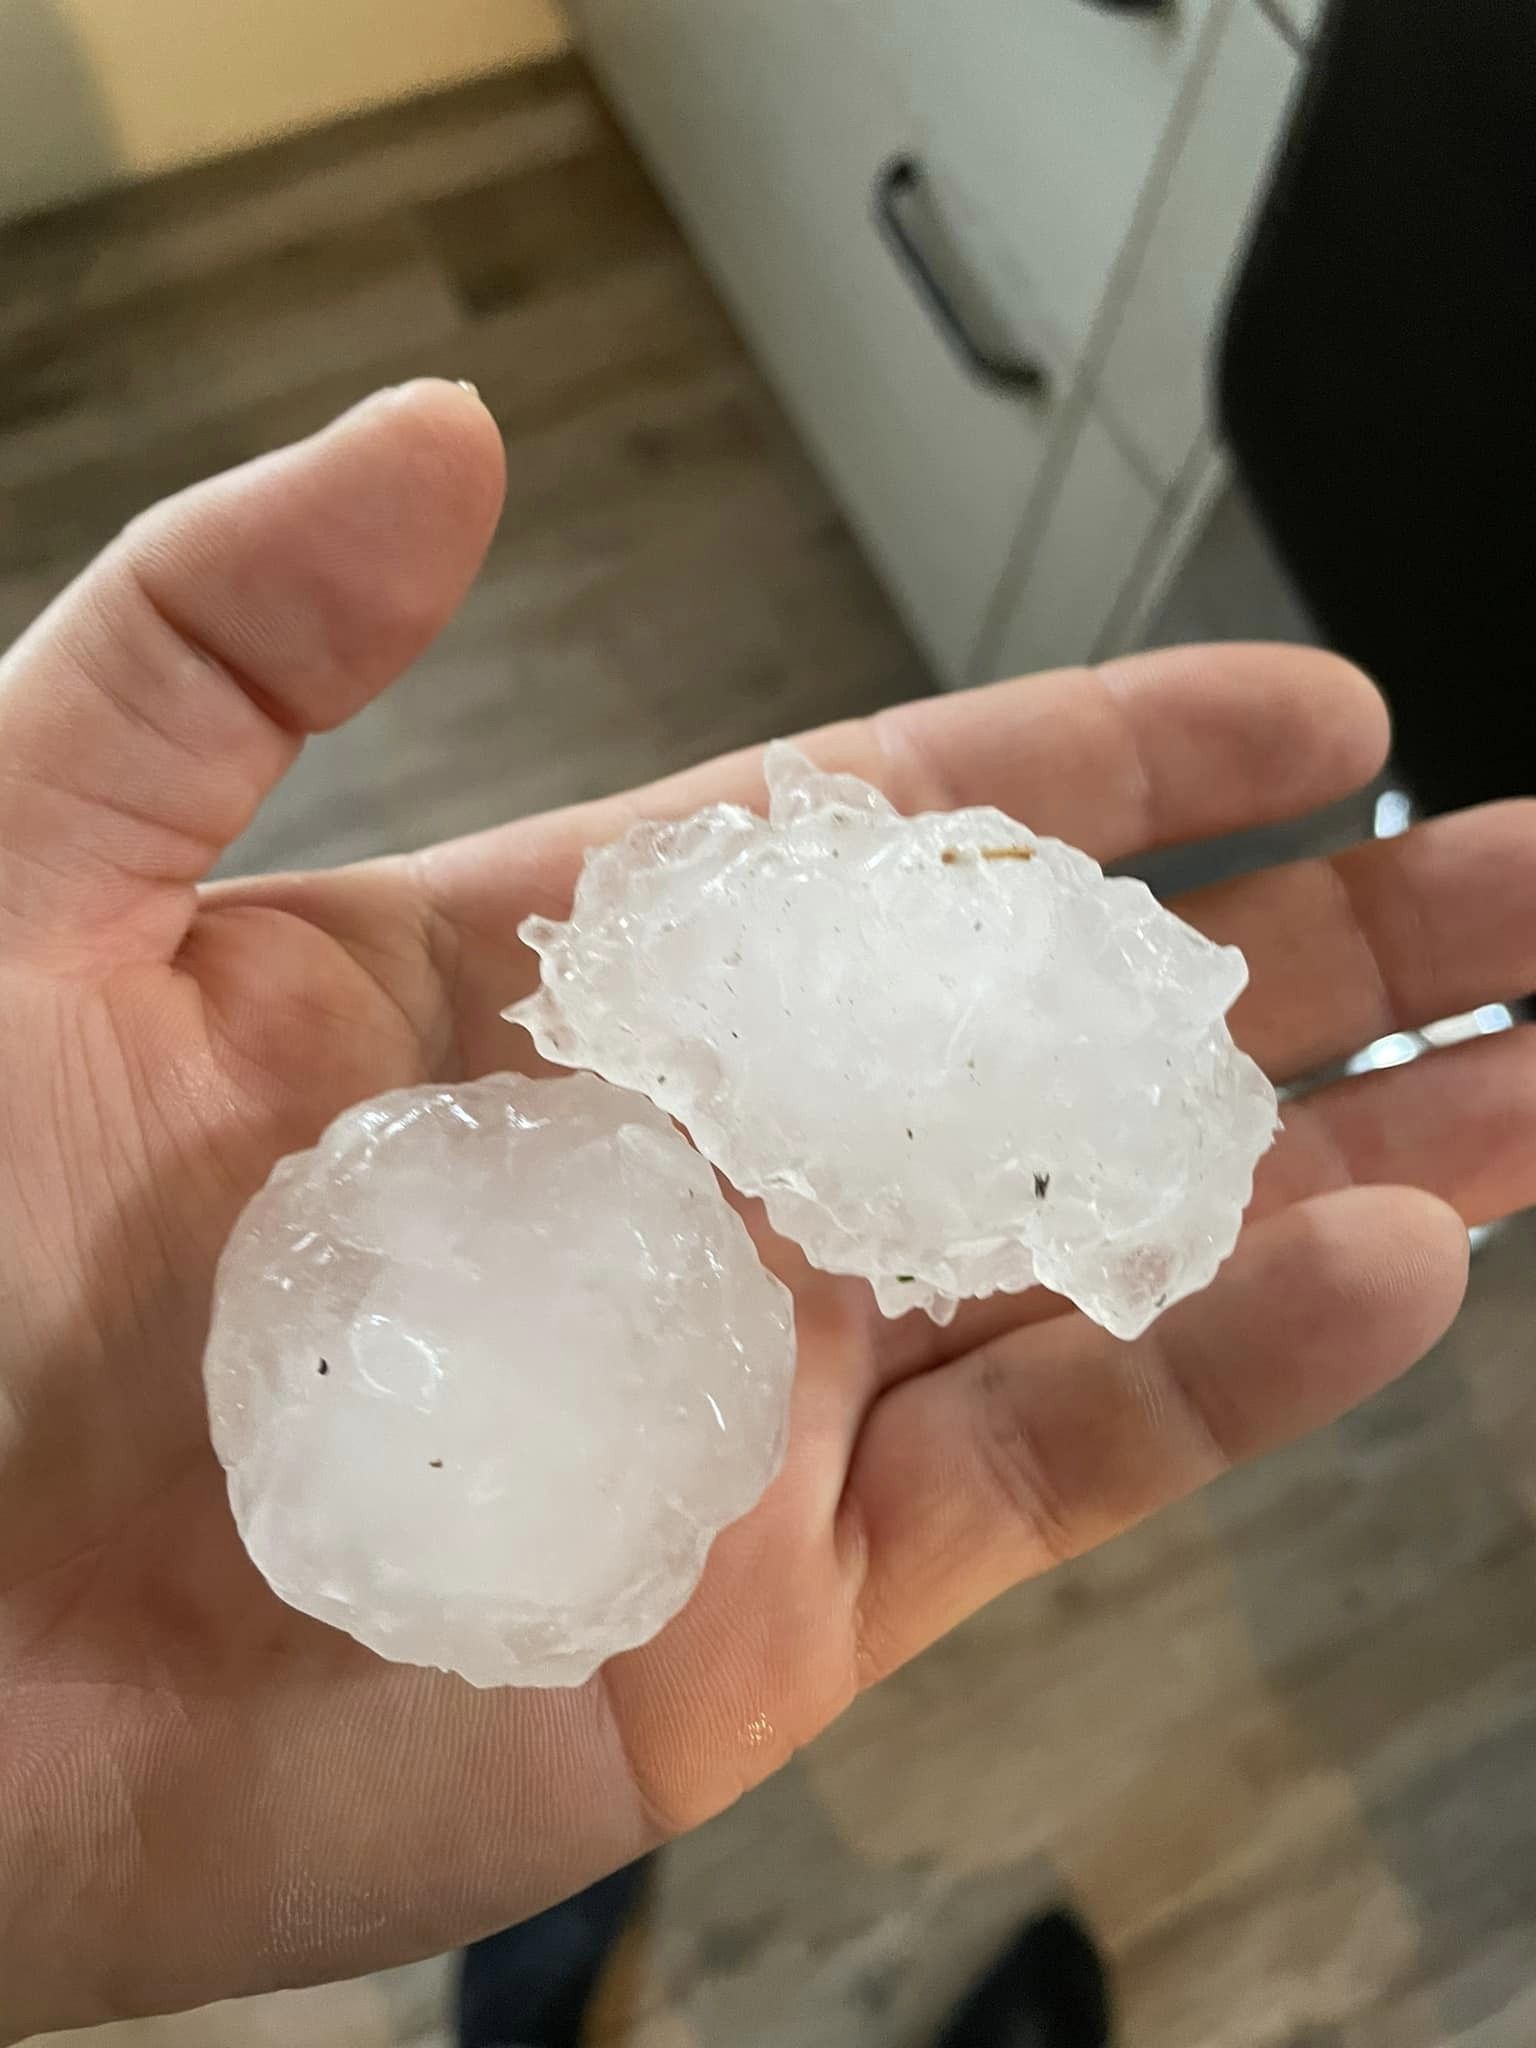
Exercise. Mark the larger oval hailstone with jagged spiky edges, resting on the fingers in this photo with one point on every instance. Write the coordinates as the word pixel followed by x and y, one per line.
pixel 949 1056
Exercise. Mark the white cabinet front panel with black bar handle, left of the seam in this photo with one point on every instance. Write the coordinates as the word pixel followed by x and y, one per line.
pixel 769 124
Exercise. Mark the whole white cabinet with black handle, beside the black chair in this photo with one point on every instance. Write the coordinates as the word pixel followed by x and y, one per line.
pixel 1050 148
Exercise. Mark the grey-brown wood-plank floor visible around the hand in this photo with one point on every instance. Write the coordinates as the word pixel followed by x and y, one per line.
pixel 1281 1746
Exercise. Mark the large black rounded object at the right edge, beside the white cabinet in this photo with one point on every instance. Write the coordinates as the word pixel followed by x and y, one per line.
pixel 1375 376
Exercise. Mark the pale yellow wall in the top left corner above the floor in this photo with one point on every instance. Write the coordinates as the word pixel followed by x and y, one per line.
pixel 93 91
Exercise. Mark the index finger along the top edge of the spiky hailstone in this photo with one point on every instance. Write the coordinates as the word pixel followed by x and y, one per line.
pixel 1156 751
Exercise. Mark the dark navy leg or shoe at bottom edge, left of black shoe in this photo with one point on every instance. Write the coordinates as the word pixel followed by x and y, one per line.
pixel 531 1986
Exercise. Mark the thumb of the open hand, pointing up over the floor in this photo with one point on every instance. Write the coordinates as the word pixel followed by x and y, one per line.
pixel 148 714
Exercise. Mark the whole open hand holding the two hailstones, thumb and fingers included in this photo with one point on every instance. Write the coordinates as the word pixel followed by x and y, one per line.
pixel 204 1793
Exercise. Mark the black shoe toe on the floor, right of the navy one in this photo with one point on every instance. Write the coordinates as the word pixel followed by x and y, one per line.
pixel 1050 1990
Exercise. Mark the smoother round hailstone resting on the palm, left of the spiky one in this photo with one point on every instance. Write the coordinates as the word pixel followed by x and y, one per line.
pixel 490 1369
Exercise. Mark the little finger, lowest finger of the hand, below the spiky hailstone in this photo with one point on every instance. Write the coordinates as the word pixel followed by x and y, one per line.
pixel 1056 1439
